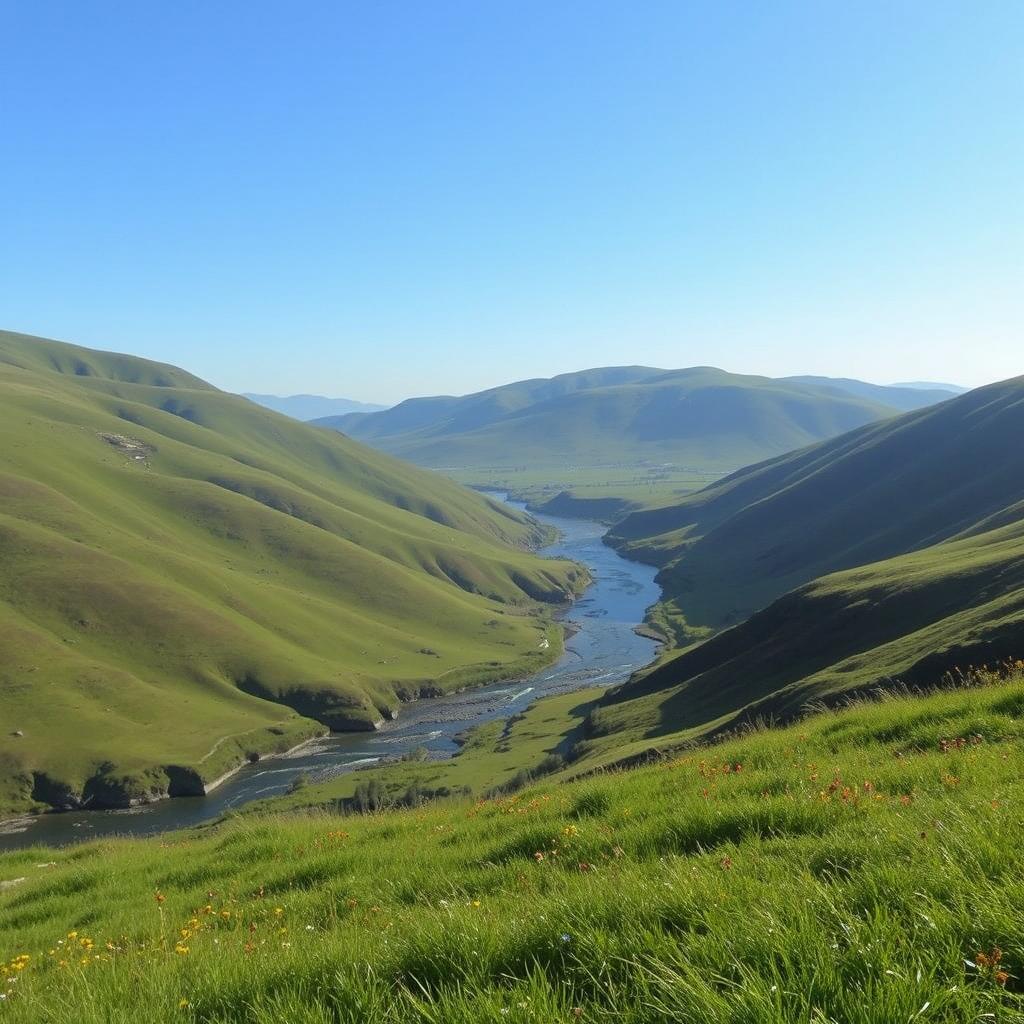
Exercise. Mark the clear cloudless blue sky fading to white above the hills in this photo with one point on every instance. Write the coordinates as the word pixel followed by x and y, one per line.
pixel 379 200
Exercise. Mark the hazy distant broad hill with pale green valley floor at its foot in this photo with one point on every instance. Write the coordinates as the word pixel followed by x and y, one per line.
pixel 631 433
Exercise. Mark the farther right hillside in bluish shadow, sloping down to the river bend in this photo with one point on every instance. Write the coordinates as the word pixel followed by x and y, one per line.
pixel 887 489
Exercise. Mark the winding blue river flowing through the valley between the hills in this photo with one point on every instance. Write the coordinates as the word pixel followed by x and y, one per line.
pixel 603 651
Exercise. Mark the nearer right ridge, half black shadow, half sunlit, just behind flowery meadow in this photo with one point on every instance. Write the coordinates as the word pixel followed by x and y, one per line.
pixel 909 620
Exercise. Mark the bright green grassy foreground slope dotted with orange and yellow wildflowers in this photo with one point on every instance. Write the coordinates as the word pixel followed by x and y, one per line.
pixel 861 867
